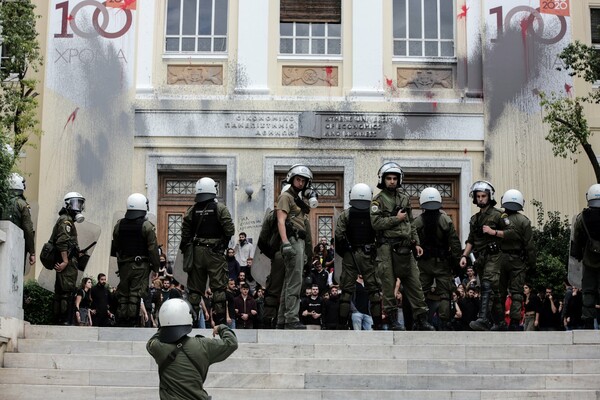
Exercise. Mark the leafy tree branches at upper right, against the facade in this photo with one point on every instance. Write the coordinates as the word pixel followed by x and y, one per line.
pixel 568 127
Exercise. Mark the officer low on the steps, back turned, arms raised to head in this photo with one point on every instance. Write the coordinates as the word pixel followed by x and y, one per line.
pixel 183 361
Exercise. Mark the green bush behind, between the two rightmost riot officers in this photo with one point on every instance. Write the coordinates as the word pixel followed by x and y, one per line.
pixel 551 237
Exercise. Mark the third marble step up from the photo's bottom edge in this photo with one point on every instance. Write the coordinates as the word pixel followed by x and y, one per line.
pixel 239 362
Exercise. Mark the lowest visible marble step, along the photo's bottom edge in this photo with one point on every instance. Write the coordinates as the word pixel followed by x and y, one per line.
pixel 36 392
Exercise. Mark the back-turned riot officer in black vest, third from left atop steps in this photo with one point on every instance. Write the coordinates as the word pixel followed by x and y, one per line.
pixel 134 245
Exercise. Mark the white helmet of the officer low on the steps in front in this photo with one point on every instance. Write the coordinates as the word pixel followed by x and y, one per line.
pixel 175 320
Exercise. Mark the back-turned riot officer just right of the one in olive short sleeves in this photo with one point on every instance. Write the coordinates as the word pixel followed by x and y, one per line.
pixel 355 242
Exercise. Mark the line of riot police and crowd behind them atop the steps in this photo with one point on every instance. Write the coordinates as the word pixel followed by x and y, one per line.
pixel 398 271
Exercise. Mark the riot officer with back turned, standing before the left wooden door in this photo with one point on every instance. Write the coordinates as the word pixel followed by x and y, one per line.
pixel 208 227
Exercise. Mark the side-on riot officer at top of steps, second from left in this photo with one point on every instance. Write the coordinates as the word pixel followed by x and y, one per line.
pixel 64 237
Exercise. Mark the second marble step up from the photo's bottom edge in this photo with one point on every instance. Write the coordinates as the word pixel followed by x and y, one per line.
pixel 39 376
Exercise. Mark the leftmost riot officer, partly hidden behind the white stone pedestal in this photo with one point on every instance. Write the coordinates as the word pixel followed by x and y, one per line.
pixel 19 214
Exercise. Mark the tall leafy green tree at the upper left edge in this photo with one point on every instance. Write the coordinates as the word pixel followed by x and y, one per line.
pixel 18 103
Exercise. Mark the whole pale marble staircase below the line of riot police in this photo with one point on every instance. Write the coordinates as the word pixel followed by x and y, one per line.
pixel 77 363
